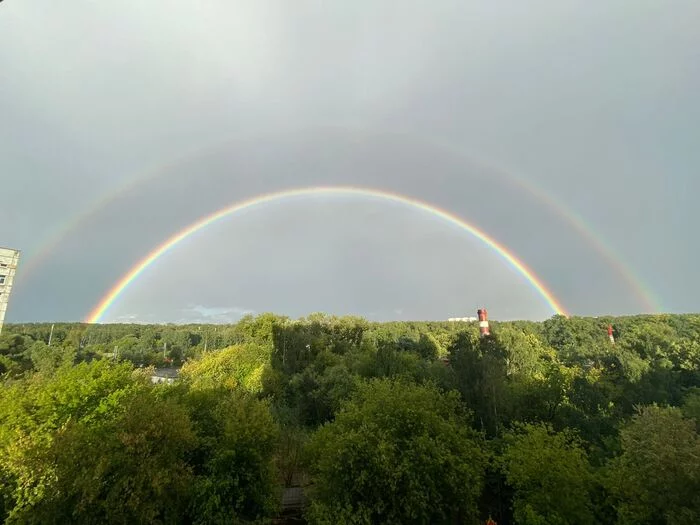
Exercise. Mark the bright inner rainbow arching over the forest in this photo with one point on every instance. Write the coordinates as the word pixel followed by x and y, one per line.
pixel 133 274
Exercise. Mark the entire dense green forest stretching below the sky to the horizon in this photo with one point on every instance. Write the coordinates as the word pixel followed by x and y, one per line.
pixel 403 422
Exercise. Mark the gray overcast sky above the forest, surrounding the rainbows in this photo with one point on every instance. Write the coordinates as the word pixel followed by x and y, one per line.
pixel 208 103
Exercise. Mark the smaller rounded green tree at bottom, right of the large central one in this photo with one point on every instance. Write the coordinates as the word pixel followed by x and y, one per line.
pixel 550 475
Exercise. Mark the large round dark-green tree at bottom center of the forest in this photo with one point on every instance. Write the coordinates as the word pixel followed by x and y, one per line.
pixel 396 453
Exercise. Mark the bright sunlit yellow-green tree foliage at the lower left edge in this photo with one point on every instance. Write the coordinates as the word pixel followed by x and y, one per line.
pixel 34 413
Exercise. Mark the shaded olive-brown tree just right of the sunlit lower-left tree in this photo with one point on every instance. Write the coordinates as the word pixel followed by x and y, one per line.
pixel 129 469
